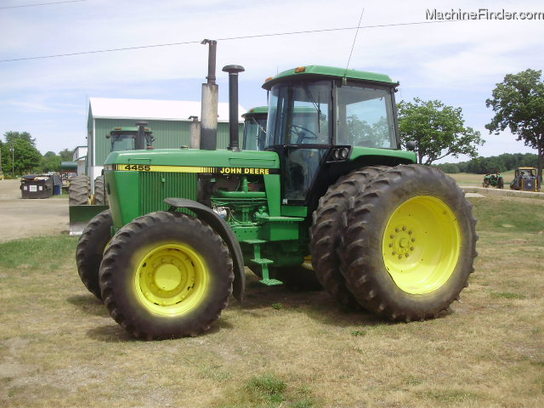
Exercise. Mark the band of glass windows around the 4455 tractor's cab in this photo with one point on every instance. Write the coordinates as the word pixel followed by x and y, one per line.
pixel 302 113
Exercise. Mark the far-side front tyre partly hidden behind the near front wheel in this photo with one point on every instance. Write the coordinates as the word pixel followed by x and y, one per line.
pixel 90 250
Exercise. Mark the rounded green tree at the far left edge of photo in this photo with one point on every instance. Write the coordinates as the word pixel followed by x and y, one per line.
pixel 22 155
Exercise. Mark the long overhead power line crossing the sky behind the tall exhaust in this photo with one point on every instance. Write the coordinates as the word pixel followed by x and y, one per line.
pixel 242 37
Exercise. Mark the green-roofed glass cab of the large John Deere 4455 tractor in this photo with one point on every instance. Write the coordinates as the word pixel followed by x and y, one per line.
pixel 320 119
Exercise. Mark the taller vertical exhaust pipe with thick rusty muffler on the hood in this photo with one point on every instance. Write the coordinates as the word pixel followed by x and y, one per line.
pixel 208 126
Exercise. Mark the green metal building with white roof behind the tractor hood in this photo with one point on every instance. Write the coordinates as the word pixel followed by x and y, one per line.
pixel 169 121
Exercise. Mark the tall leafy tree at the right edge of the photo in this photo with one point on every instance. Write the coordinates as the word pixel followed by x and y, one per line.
pixel 518 103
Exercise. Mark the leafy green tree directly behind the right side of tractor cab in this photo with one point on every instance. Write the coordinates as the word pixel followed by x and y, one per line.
pixel 438 130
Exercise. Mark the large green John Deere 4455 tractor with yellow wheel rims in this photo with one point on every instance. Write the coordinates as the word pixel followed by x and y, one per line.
pixel 383 233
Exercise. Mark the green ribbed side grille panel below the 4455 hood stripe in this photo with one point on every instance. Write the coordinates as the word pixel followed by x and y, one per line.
pixel 156 186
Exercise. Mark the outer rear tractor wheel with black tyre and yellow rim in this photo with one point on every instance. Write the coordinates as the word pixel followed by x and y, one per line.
pixel 410 243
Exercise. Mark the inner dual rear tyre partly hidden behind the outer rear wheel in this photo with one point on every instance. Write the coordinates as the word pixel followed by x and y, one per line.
pixel 327 228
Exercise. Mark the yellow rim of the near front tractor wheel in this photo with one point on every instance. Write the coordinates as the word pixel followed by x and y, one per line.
pixel 171 279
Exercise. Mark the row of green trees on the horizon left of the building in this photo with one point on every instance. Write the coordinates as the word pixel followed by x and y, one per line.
pixel 19 155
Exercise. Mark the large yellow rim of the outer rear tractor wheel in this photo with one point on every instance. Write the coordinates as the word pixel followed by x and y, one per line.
pixel 421 244
